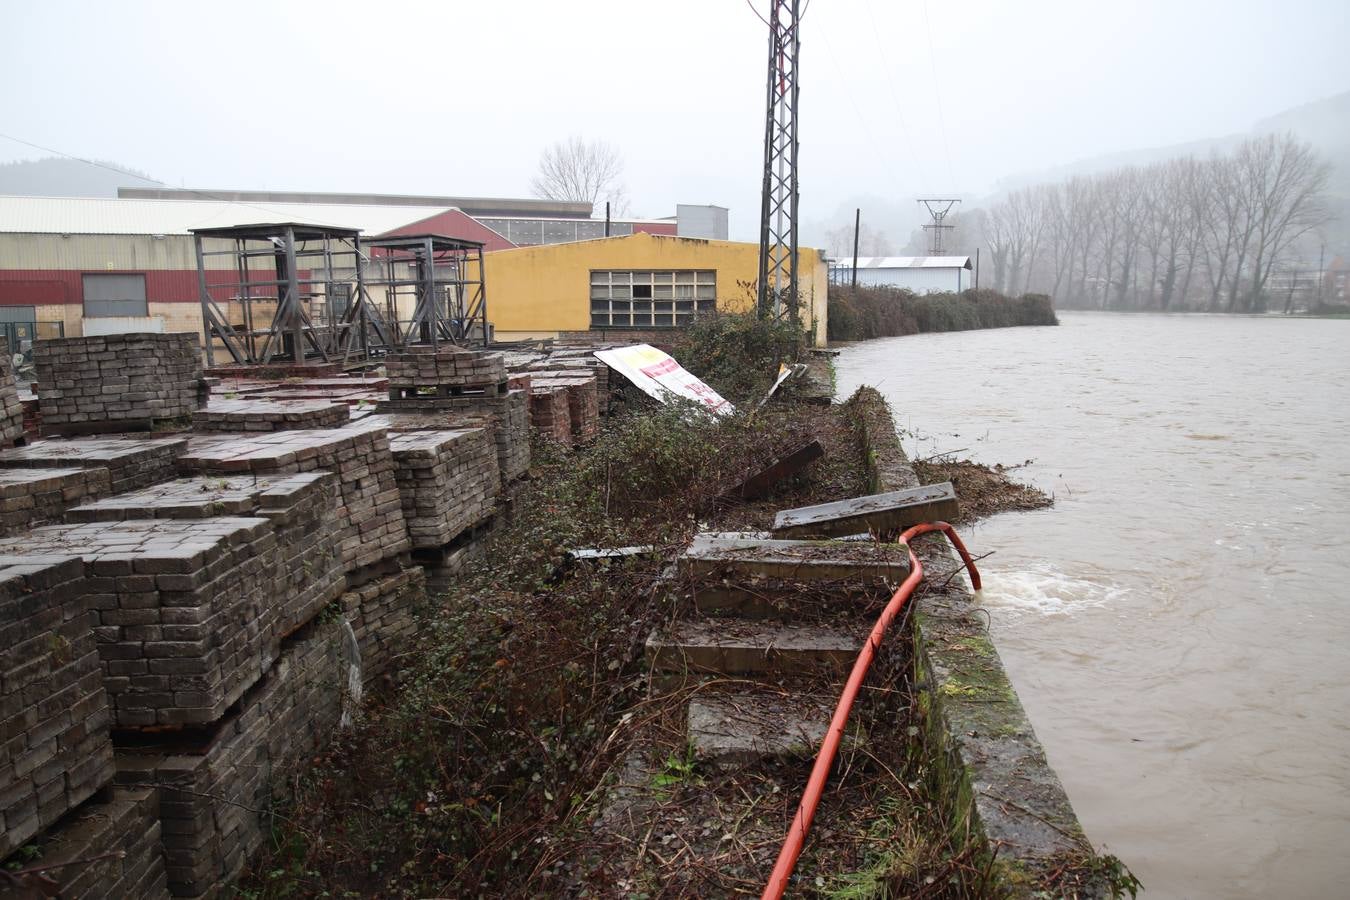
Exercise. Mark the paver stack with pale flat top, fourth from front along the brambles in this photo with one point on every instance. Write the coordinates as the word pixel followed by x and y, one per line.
pixel 371 516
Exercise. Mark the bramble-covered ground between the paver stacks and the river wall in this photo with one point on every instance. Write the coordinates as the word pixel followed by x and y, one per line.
pixel 488 766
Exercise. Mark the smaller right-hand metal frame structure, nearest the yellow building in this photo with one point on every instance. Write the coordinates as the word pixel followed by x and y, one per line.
pixel 445 280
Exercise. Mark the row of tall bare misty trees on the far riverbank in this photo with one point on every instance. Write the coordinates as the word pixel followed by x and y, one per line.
pixel 1185 234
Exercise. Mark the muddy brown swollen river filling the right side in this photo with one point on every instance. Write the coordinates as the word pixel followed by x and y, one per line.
pixel 1179 624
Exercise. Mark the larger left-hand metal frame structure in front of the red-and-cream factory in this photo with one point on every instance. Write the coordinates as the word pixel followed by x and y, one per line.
pixel 290 265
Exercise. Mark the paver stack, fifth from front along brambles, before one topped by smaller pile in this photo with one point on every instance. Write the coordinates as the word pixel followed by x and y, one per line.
pixel 448 480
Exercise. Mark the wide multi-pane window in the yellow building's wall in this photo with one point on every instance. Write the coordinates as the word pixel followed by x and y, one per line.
pixel 651 299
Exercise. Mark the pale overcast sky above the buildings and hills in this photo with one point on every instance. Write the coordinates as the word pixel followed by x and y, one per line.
pixel 900 98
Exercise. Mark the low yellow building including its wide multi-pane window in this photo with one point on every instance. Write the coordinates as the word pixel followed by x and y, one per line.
pixel 631 284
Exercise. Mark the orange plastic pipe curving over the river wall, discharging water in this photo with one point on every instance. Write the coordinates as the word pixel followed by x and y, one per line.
pixel 796 839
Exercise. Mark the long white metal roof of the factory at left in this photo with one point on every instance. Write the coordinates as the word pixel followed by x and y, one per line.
pixel 117 217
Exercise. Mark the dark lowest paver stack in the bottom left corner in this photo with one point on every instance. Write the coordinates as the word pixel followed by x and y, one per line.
pixel 114 847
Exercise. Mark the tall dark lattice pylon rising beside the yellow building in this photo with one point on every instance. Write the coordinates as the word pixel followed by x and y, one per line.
pixel 778 285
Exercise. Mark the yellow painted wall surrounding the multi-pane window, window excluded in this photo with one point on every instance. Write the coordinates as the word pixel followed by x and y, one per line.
pixel 546 291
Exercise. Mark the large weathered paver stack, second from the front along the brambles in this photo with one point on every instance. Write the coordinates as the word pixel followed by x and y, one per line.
pixel 184 613
